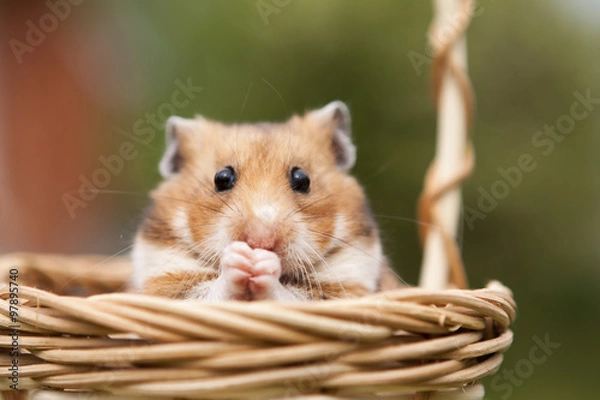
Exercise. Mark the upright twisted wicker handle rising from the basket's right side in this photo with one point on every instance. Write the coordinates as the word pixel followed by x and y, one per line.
pixel 440 202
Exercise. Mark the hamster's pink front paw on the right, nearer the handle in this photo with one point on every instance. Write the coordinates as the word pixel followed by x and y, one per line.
pixel 264 283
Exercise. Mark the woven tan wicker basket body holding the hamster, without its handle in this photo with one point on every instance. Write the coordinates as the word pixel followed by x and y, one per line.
pixel 129 346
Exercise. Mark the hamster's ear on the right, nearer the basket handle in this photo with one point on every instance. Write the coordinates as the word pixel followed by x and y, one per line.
pixel 336 116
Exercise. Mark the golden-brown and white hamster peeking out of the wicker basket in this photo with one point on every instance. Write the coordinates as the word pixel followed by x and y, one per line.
pixel 260 211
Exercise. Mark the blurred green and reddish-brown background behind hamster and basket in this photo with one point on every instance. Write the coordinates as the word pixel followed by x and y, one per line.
pixel 526 61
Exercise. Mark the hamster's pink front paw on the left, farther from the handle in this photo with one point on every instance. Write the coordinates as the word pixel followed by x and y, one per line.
pixel 236 269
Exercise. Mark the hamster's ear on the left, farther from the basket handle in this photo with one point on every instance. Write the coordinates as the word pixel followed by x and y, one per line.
pixel 178 135
